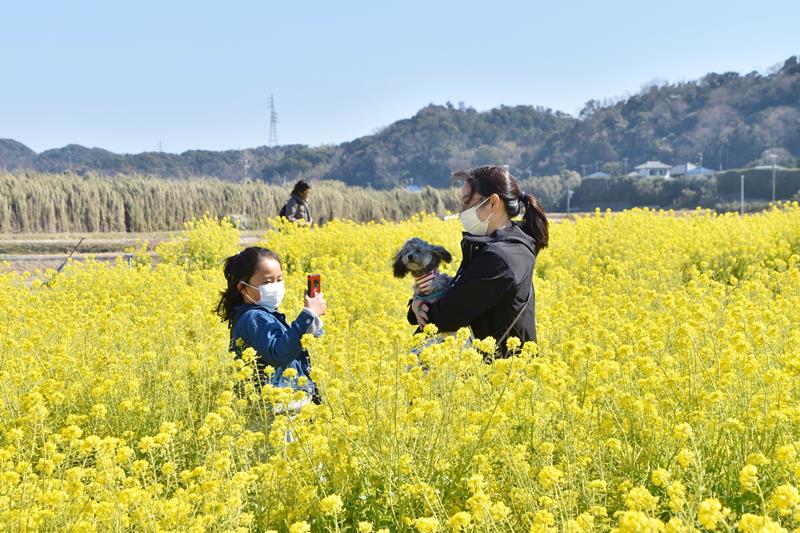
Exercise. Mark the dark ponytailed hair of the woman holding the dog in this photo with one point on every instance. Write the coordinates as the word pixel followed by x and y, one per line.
pixel 489 180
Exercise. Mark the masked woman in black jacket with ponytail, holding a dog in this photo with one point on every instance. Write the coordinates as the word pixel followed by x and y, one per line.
pixel 492 292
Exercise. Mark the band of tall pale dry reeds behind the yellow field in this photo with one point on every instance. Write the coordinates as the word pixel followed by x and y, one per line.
pixel 33 202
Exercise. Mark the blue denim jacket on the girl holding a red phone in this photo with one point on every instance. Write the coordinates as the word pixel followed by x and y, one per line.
pixel 276 343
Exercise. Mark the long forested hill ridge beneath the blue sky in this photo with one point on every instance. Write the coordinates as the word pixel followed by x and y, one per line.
pixel 733 119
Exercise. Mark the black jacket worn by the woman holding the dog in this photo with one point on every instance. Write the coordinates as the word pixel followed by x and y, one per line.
pixel 490 288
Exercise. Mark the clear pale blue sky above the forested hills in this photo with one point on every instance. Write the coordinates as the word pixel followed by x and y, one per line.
pixel 128 75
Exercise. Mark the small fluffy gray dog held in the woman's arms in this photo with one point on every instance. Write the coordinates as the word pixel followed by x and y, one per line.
pixel 422 259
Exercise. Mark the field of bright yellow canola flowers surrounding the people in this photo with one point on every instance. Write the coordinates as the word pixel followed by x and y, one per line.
pixel 663 395
